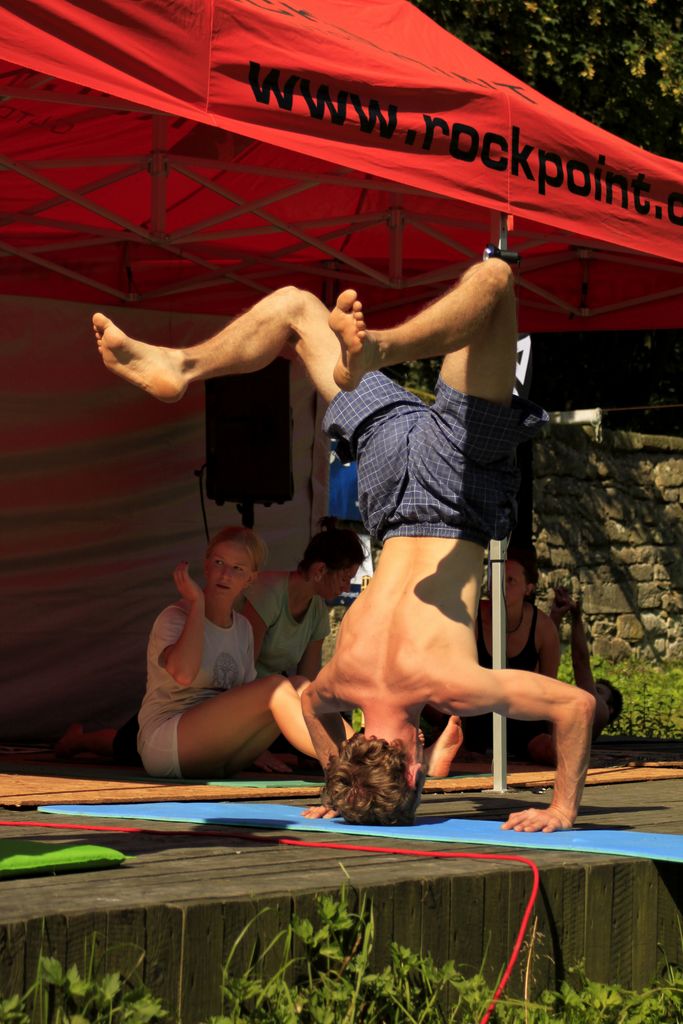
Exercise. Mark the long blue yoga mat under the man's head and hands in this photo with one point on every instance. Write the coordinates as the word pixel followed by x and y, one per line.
pixel 654 846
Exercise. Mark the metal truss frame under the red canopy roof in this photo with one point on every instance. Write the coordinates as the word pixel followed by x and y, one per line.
pixel 258 273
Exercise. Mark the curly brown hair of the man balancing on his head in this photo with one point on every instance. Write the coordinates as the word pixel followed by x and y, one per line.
pixel 367 784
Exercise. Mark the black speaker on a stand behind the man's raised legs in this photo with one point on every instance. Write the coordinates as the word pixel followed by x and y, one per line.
pixel 249 437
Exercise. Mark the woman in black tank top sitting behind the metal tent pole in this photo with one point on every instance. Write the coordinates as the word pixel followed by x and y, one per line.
pixel 533 645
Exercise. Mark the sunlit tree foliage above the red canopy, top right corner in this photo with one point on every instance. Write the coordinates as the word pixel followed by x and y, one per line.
pixel 617 63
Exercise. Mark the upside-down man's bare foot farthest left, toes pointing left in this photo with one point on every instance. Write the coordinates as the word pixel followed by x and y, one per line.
pixel 156 370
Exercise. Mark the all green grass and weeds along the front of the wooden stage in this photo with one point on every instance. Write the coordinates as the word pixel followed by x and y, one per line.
pixel 326 976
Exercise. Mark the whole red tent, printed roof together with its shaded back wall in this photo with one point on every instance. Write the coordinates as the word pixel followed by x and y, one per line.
pixel 182 160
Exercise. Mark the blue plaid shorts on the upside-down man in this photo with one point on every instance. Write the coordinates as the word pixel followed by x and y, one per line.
pixel 442 471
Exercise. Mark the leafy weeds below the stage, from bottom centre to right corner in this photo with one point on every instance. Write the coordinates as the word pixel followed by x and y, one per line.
pixel 331 980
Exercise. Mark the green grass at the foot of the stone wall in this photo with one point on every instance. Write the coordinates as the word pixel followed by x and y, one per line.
pixel 653 697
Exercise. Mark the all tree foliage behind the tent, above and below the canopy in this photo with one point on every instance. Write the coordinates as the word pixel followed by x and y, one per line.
pixel 620 65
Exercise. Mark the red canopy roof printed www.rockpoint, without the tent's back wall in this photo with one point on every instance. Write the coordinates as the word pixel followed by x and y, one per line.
pixel 196 156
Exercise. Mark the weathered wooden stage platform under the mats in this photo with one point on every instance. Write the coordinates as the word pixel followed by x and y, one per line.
pixel 174 912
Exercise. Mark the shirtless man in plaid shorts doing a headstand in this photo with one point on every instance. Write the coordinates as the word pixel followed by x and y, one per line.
pixel 435 485
